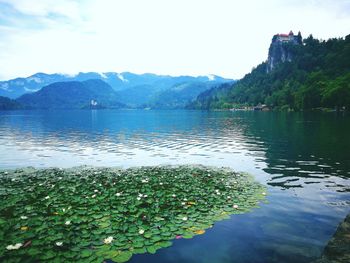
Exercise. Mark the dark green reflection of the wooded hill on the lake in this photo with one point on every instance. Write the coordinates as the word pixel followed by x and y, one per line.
pixel 303 147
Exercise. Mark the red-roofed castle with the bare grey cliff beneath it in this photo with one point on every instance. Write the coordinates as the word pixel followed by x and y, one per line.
pixel 279 51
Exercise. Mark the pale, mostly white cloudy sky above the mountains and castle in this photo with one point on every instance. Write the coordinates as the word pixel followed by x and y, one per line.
pixel 172 37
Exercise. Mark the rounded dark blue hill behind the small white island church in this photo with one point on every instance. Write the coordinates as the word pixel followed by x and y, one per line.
pixel 72 95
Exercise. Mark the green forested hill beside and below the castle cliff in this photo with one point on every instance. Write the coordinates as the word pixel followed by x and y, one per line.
pixel 318 75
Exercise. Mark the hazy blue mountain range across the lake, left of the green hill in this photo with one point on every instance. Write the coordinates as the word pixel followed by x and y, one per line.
pixel 110 89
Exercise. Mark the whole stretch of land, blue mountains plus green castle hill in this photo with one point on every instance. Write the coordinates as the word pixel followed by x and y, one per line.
pixel 299 74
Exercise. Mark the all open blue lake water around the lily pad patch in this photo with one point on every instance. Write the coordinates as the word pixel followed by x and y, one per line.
pixel 303 158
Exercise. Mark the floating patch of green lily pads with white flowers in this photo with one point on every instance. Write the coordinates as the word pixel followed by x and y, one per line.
pixel 93 214
